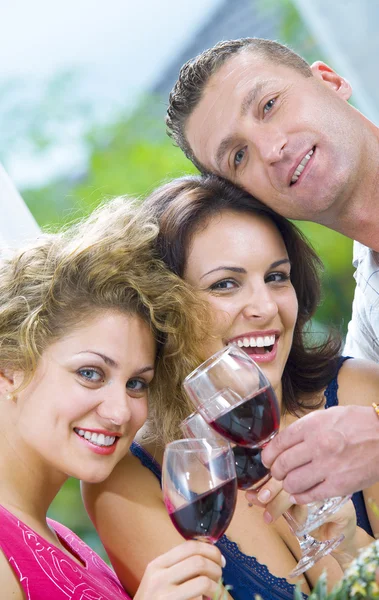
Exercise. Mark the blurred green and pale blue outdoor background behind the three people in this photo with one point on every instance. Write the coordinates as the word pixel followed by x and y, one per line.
pixel 83 92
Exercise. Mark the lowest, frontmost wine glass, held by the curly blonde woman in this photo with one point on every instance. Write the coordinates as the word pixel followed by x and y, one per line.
pixel 199 487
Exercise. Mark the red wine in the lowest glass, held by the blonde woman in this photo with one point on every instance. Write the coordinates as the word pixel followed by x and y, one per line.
pixel 209 515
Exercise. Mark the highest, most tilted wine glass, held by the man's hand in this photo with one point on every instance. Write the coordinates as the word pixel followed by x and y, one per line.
pixel 234 396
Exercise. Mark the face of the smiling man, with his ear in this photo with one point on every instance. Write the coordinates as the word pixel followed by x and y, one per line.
pixel 292 141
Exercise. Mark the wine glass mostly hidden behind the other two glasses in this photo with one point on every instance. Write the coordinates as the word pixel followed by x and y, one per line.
pixel 252 474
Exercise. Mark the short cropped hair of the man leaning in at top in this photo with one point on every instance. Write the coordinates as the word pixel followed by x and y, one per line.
pixel 195 74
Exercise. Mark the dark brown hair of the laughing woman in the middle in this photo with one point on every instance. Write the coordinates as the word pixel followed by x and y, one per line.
pixel 186 204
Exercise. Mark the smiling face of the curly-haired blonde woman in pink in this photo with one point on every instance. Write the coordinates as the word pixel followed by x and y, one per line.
pixel 88 397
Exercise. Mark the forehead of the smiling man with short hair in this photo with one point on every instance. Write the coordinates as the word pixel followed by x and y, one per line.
pixel 219 109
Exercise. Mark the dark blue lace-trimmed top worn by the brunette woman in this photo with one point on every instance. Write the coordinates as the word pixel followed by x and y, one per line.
pixel 244 573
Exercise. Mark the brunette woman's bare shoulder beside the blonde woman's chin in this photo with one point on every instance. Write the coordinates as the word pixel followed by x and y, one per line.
pixel 131 519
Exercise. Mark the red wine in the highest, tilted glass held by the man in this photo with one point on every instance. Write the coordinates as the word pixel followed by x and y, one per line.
pixel 252 421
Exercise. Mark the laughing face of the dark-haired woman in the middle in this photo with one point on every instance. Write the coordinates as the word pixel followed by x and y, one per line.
pixel 239 263
